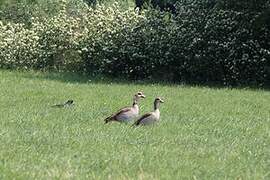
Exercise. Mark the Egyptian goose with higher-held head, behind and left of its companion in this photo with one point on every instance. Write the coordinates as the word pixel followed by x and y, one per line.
pixel 126 114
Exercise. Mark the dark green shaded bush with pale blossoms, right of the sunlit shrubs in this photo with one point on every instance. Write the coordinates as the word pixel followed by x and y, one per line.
pixel 201 44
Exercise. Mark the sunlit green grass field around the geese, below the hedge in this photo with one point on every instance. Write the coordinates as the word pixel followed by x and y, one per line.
pixel 204 133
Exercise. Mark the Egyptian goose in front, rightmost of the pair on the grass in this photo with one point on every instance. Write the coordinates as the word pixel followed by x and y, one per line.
pixel 151 117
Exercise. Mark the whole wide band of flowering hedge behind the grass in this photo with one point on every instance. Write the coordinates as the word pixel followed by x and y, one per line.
pixel 206 41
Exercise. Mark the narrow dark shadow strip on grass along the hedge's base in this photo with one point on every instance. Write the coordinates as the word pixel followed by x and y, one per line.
pixel 70 77
